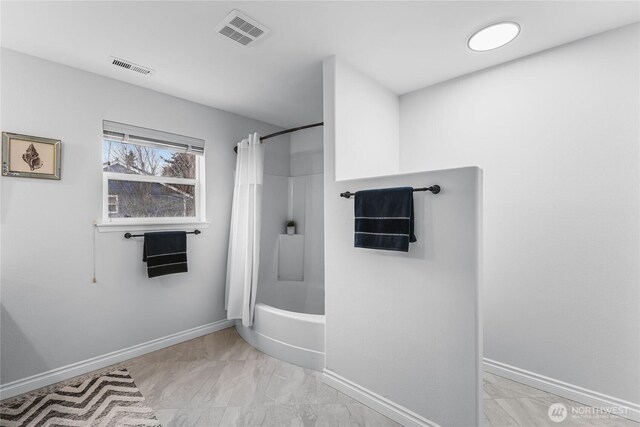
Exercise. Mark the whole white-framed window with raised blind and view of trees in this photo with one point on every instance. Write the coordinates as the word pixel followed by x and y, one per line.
pixel 151 176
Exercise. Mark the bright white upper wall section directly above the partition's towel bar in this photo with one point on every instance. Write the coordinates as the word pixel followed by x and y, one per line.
pixel 368 129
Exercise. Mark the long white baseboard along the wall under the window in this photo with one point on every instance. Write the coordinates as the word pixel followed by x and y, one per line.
pixel 63 373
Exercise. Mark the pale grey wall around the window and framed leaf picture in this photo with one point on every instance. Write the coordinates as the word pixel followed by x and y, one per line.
pixel 52 315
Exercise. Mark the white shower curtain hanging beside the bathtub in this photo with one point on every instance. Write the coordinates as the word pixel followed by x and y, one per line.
pixel 244 240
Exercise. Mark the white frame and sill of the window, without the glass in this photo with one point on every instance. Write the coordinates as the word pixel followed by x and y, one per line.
pixel 199 194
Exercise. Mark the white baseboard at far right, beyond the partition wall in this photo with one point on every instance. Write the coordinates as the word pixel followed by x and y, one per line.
pixel 585 396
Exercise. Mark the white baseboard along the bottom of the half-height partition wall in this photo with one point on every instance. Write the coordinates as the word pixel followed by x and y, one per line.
pixel 373 400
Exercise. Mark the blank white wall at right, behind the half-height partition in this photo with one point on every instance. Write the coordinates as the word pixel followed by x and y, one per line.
pixel 557 135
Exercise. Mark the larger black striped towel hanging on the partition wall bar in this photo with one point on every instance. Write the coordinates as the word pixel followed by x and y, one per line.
pixel 384 219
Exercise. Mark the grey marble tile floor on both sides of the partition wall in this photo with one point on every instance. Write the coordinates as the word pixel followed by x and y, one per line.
pixel 220 380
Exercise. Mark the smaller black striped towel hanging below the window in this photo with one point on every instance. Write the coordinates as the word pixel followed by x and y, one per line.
pixel 165 253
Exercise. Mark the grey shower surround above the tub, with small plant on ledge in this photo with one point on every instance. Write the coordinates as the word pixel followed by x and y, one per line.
pixel 292 266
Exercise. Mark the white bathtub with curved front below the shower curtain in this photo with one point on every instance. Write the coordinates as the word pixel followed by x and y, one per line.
pixel 296 338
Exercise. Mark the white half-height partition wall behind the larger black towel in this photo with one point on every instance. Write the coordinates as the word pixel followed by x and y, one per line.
pixel 404 326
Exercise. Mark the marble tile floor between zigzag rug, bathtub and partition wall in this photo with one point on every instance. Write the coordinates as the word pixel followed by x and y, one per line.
pixel 220 380
